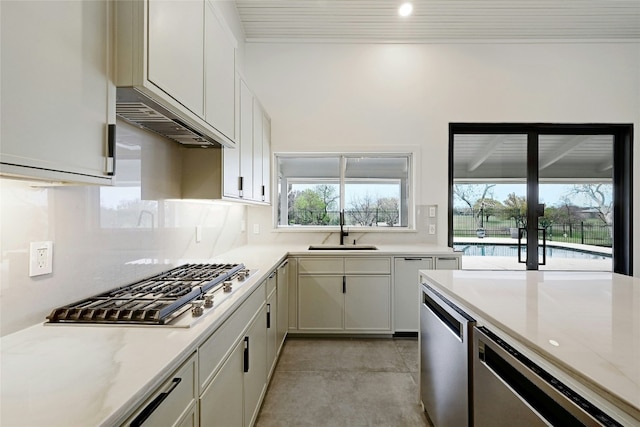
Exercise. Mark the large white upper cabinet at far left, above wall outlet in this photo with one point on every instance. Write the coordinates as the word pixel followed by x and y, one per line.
pixel 55 90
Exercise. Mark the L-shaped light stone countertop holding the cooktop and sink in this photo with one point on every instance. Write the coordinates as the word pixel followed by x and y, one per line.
pixel 86 375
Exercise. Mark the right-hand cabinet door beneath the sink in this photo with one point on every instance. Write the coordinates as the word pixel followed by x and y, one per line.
pixel 367 303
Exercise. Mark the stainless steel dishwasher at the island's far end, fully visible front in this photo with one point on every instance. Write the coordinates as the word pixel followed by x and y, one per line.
pixel 445 360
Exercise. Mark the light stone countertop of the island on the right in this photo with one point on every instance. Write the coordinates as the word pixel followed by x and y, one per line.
pixel 582 326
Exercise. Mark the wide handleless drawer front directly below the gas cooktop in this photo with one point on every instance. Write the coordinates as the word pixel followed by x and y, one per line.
pixel 214 350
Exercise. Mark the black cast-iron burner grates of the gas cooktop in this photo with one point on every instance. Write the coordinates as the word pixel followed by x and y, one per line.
pixel 154 300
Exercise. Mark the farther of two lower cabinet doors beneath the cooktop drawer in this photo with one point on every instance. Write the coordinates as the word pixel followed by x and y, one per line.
pixel 255 377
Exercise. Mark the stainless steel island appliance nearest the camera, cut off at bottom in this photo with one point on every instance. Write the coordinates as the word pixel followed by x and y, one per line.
pixel 510 390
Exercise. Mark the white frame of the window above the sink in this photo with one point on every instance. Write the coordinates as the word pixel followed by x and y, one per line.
pixel 343 156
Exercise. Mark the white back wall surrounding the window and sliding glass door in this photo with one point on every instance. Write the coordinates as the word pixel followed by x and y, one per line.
pixel 339 97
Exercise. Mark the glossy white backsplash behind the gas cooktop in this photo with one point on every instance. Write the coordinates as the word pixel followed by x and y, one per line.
pixel 104 237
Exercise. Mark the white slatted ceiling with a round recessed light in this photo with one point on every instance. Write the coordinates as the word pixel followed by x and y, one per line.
pixel 439 20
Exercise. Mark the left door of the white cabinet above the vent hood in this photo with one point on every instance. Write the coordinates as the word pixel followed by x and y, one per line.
pixel 176 50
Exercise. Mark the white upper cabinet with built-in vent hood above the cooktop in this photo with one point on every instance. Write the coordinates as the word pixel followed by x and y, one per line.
pixel 175 61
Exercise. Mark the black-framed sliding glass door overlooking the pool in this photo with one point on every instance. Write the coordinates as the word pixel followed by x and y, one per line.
pixel 548 197
